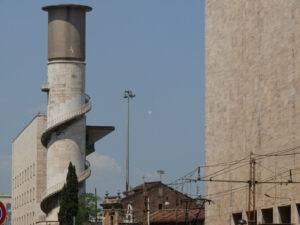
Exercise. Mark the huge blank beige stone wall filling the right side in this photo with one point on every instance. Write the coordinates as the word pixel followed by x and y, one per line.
pixel 252 102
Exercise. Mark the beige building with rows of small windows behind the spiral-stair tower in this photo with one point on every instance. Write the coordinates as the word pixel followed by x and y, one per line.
pixel 28 173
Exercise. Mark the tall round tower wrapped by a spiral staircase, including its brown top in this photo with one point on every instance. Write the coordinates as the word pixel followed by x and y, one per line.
pixel 67 138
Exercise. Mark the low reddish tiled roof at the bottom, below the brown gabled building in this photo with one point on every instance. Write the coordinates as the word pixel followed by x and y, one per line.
pixel 163 216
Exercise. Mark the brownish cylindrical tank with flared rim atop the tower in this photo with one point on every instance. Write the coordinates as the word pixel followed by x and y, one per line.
pixel 66 31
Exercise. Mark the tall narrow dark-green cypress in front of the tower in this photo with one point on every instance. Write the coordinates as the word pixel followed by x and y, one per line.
pixel 69 198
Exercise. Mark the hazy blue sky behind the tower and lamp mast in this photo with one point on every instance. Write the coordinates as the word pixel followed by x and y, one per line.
pixel 154 48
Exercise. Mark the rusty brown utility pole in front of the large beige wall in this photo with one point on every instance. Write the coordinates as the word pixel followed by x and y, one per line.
pixel 251 193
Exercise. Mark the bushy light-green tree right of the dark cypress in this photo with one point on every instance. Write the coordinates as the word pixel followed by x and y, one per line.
pixel 87 207
